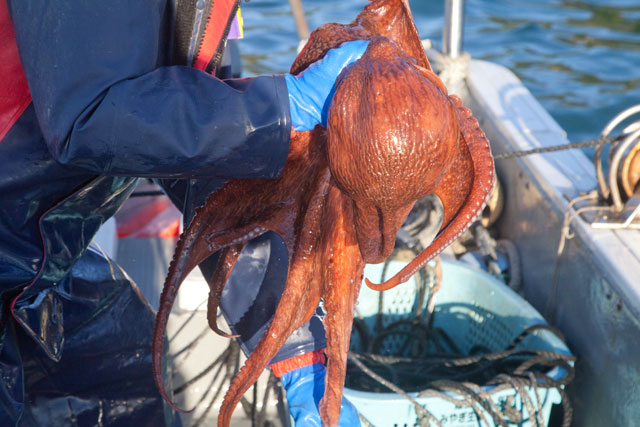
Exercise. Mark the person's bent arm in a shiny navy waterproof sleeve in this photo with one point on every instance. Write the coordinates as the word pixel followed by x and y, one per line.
pixel 105 104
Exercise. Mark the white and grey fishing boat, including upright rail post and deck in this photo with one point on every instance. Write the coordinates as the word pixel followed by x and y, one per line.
pixel 576 240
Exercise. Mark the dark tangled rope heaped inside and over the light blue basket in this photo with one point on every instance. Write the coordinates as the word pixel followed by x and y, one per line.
pixel 436 367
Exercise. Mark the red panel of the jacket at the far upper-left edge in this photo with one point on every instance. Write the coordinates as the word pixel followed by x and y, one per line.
pixel 14 92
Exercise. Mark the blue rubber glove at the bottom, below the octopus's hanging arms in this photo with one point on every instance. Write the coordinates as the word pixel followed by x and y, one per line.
pixel 305 388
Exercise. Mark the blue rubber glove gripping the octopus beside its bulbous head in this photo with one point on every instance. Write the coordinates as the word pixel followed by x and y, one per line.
pixel 311 92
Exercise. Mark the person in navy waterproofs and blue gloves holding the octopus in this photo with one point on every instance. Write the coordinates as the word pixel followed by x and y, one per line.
pixel 94 95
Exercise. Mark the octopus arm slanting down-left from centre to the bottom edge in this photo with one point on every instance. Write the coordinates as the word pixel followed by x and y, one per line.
pixel 297 304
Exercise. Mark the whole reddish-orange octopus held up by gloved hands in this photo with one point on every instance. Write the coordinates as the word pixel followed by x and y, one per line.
pixel 393 136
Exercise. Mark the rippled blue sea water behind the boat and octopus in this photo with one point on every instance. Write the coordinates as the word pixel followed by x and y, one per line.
pixel 580 59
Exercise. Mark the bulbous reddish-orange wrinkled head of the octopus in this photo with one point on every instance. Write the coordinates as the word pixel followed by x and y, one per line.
pixel 385 165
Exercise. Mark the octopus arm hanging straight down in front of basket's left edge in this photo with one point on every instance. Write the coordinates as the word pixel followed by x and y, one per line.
pixel 342 279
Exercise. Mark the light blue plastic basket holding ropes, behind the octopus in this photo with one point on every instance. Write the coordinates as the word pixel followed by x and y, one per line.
pixel 473 308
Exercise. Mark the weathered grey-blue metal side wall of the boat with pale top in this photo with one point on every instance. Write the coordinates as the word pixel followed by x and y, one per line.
pixel 582 271
